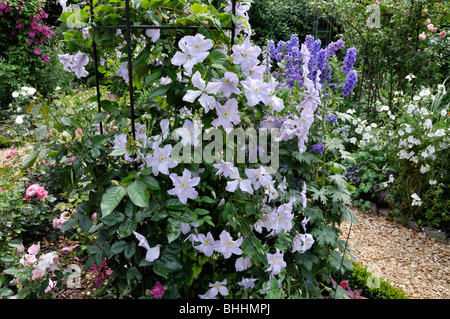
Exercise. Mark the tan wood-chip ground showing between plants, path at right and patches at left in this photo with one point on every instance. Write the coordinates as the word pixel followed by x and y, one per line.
pixel 407 258
